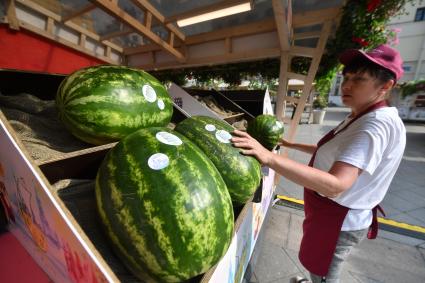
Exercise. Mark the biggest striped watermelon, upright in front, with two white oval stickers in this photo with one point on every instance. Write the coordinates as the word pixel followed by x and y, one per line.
pixel 164 205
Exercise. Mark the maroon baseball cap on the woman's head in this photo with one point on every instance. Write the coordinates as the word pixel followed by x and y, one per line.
pixel 383 55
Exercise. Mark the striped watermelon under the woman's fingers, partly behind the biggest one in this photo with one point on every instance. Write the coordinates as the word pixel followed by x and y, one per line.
pixel 242 174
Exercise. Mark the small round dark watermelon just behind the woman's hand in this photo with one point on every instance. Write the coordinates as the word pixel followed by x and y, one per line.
pixel 266 129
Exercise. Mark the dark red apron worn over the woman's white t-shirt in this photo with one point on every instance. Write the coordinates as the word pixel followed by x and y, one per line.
pixel 324 218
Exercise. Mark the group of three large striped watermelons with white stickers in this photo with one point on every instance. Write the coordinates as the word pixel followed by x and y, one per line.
pixel 164 197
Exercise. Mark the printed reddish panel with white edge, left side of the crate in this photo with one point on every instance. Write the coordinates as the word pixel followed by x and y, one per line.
pixel 38 221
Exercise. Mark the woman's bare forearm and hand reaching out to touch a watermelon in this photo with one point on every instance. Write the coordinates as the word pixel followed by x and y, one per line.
pixel 339 178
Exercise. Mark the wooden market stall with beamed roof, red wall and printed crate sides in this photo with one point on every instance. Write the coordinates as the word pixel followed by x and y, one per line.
pixel 58 37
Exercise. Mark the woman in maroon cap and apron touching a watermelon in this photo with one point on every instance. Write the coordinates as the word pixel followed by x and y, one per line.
pixel 351 167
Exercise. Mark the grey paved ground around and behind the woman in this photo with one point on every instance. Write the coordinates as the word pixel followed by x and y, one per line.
pixel 390 258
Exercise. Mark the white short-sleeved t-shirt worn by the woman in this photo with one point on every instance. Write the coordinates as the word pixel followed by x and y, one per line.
pixel 375 144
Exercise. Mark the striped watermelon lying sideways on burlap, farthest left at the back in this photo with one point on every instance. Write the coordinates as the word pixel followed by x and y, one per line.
pixel 105 103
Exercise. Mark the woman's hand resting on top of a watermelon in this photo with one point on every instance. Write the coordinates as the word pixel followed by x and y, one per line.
pixel 251 146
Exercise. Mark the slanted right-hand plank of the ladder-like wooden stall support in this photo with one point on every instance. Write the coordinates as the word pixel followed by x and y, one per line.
pixel 326 29
